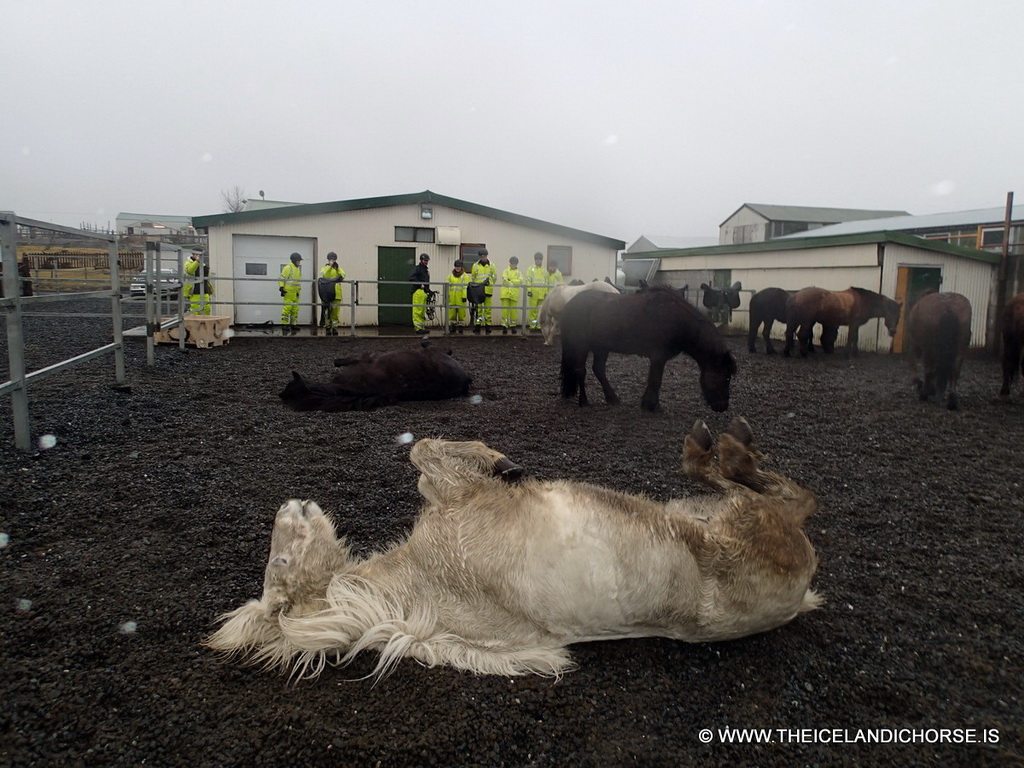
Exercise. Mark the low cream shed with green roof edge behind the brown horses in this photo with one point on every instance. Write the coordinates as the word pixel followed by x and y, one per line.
pixel 899 266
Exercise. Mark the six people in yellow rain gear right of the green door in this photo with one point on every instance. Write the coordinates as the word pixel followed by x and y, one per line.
pixel 471 293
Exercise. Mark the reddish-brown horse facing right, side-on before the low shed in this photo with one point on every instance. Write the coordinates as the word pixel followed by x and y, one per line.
pixel 852 308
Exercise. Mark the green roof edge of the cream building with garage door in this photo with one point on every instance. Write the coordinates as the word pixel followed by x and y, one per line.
pixel 317 209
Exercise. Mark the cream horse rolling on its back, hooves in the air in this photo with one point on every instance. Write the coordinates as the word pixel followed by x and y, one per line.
pixel 500 577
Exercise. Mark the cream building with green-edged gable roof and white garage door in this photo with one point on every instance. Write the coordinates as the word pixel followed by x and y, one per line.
pixel 378 242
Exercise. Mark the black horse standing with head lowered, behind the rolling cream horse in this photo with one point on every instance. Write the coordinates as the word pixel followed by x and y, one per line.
pixel 657 324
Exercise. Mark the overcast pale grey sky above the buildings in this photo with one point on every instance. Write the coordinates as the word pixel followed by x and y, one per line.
pixel 619 118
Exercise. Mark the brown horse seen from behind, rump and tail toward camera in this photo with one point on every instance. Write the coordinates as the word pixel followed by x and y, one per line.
pixel 940 330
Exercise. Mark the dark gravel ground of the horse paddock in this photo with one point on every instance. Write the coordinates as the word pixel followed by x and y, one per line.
pixel 152 515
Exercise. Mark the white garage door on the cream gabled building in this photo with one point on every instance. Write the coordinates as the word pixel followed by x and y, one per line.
pixel 261 259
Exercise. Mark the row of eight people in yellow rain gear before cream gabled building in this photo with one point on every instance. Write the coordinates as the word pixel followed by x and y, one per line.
pixel 471 293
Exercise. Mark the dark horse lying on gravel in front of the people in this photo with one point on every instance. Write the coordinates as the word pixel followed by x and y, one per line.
pixel 372 381
